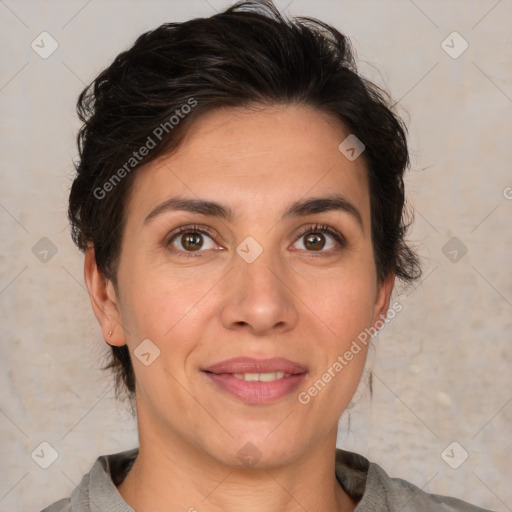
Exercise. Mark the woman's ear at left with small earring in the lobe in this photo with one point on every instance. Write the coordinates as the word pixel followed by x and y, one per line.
pixel 104 301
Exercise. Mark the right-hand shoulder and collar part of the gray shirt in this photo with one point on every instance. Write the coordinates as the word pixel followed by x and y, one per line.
pixel 376 491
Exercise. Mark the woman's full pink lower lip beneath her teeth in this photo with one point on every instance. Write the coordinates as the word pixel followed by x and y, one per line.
pixel 257 392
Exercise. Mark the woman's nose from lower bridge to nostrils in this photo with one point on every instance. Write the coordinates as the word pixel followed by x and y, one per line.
pixel 258 297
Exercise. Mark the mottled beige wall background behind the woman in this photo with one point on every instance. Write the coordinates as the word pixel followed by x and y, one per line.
pixel 442 367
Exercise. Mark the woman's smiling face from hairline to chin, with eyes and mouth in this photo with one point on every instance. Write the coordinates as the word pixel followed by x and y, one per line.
pixel 247 285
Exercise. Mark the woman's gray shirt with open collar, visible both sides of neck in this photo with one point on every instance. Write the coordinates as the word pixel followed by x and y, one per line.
pixel 364 481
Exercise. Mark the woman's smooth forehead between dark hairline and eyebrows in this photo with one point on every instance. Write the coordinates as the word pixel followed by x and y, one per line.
pixel 255 158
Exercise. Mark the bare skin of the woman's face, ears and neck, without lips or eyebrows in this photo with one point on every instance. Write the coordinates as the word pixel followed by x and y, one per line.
pixel 293 301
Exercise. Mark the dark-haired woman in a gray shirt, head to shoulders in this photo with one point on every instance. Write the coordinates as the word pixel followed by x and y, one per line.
pixel 239 199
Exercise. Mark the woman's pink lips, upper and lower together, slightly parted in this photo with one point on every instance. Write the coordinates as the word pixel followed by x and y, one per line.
pixel 256 393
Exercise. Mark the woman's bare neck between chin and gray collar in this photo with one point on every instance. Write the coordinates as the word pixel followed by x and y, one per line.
pixel 164 478
